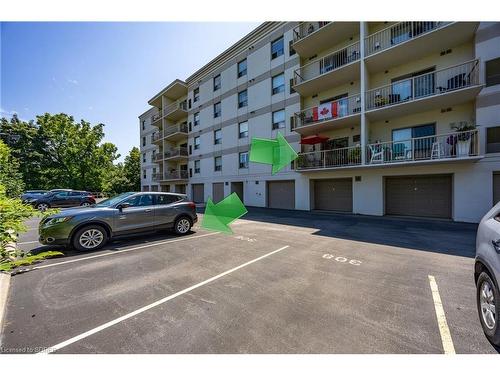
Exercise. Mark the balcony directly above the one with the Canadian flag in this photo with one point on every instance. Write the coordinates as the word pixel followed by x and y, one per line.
pixel 332 70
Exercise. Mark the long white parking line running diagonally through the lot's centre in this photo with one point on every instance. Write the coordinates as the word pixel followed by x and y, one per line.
pixel 154 304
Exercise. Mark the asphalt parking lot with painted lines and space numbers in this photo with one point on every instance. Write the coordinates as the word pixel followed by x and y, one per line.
pixel 284 282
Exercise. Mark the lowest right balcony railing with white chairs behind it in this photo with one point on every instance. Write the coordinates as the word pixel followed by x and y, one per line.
pixel 435 147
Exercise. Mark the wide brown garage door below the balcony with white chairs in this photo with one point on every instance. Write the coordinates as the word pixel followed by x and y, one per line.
pixel 426 196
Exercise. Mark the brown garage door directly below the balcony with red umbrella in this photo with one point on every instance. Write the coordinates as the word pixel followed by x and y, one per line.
pixel 333 194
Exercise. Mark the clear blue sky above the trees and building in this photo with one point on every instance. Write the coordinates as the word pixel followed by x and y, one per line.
pixel 102 72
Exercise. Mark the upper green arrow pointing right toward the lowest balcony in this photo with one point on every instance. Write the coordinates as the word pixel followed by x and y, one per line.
pixel 276 152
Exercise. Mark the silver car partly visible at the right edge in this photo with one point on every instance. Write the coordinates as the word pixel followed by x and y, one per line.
pixel 487 274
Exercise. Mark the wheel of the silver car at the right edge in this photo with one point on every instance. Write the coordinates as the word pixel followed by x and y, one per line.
pixel 488 307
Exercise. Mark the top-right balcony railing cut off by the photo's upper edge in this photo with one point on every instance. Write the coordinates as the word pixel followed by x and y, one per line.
pixel 398 33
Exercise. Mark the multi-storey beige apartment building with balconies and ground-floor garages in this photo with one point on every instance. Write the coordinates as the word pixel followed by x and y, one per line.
pixel 389 118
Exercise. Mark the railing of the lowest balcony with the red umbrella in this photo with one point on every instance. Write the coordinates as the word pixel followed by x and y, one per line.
pixel 340 157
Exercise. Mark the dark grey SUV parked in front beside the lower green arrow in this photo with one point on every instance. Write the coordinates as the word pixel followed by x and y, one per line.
pixel 128 213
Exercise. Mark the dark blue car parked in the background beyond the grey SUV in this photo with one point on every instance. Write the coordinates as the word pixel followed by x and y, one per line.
pixel 60 198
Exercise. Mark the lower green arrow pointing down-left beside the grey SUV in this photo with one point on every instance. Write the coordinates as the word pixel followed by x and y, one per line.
pixel 218 216
